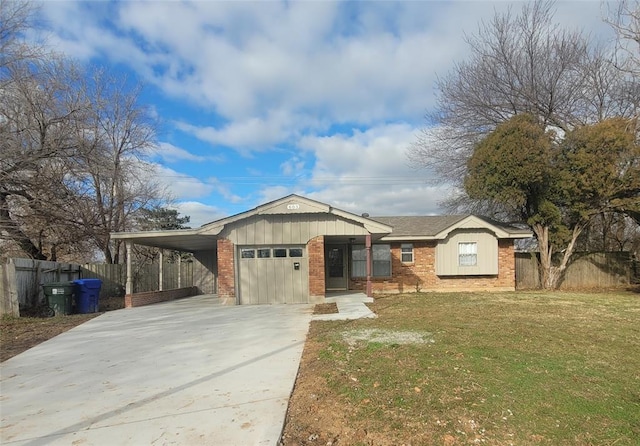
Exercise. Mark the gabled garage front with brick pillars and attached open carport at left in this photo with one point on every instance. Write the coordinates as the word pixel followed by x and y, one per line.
pixel 292 250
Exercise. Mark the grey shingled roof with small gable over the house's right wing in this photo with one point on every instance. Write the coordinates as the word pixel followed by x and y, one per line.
pixel 438 227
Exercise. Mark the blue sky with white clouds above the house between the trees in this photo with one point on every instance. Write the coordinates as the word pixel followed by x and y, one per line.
pixel 260 99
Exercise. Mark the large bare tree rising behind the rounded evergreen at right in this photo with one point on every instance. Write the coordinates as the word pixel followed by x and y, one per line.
pixel 522 63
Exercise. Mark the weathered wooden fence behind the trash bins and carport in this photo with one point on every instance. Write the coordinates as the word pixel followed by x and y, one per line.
pixel 21 280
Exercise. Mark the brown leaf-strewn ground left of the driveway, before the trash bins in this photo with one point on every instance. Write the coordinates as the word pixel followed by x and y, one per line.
pixel 21 333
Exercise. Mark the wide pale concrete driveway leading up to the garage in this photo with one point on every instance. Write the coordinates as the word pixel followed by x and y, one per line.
pixel 187 372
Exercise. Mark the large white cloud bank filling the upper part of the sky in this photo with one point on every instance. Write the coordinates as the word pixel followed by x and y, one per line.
pixel 267 67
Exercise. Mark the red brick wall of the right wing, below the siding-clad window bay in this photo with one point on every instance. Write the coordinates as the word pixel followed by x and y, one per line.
pixel 421 275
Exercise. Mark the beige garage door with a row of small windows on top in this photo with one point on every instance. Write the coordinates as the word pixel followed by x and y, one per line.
pixel 273 274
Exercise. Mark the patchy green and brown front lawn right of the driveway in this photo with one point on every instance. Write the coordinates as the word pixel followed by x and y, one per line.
pixel 507 368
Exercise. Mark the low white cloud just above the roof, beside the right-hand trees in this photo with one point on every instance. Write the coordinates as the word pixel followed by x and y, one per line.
pixel 368 172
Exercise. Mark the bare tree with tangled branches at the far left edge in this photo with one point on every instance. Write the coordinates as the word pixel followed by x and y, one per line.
pixel 35 138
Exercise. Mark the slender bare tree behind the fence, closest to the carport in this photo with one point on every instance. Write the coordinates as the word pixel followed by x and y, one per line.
pixel 111 175
